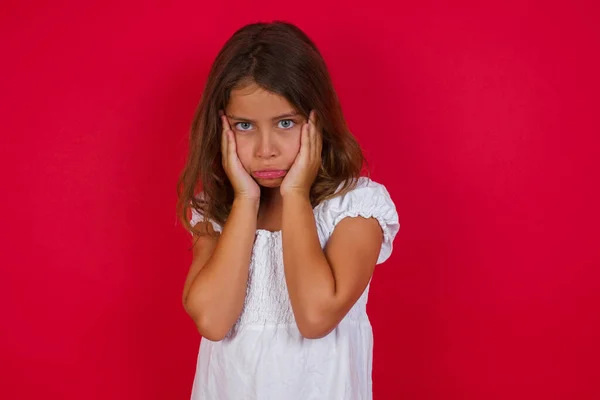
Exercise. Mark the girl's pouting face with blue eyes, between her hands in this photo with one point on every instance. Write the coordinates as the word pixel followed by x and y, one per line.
pixel 267 133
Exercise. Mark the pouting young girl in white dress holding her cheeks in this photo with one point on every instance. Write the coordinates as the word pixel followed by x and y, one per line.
pixel 286 231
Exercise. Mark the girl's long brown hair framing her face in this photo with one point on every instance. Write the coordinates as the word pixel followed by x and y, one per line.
pixel 282 59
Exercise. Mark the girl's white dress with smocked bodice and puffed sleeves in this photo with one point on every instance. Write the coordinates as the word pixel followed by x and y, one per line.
pixel 264 357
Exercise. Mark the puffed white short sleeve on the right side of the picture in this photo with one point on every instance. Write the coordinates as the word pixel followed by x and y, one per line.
pixel 368 200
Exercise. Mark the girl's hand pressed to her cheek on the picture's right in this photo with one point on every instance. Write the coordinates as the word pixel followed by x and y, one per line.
pixel 303 172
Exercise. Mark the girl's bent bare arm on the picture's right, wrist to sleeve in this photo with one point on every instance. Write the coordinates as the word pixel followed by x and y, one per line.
pixel 324 285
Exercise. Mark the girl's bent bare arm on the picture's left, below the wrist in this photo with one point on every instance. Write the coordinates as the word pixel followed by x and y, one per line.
pixel 215 287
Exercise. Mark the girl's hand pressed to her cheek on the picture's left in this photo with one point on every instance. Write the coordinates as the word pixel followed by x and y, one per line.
pixel 243 184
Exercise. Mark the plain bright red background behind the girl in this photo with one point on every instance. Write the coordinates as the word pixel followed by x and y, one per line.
pixel 482 121
